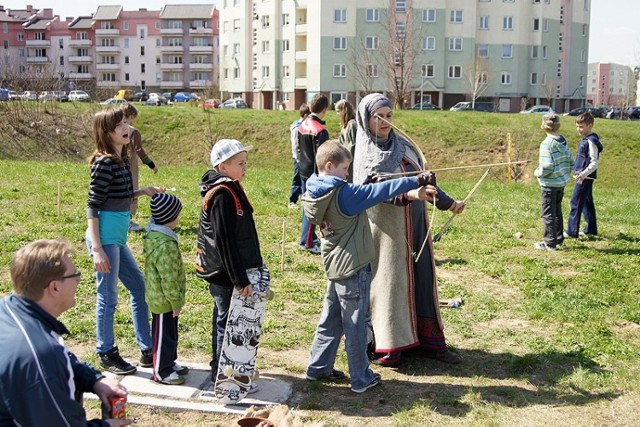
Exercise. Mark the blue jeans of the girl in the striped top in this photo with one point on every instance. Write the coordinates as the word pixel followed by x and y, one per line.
pixel 125 268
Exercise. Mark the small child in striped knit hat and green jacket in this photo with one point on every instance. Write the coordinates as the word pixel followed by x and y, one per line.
pixel 166 286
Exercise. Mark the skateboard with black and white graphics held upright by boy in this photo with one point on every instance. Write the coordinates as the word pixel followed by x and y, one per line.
pixel 237 370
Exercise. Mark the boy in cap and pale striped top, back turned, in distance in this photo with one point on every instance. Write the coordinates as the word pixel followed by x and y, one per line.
pixel 553 173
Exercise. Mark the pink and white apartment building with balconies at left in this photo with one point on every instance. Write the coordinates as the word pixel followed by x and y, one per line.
pixel 173 48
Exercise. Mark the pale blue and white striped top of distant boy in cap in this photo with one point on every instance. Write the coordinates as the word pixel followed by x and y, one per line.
pixel 555 161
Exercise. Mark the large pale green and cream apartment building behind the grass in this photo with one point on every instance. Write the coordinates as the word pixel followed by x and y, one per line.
pixel 513 53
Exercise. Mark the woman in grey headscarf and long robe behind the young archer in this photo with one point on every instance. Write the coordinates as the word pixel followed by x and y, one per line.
pixel 404 297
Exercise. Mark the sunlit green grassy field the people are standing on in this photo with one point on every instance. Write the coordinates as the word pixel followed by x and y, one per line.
pixel 547 338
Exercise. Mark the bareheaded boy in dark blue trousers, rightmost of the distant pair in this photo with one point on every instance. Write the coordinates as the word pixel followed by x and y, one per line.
pixel 585 172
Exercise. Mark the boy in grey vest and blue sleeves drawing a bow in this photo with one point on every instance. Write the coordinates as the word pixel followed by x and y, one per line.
pixel 347 251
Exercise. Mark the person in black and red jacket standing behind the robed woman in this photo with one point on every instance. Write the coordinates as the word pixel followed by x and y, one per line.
pixel 311 134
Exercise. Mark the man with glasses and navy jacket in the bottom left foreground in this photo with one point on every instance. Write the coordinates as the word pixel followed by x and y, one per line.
pixel 41 381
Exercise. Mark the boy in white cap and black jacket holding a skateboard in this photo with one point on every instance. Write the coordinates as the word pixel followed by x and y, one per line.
pixel 228 250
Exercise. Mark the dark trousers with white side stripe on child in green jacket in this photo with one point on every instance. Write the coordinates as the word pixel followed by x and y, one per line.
pixel 165 344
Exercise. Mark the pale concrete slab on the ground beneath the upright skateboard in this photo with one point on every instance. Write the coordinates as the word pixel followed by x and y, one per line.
pixel 197 392
